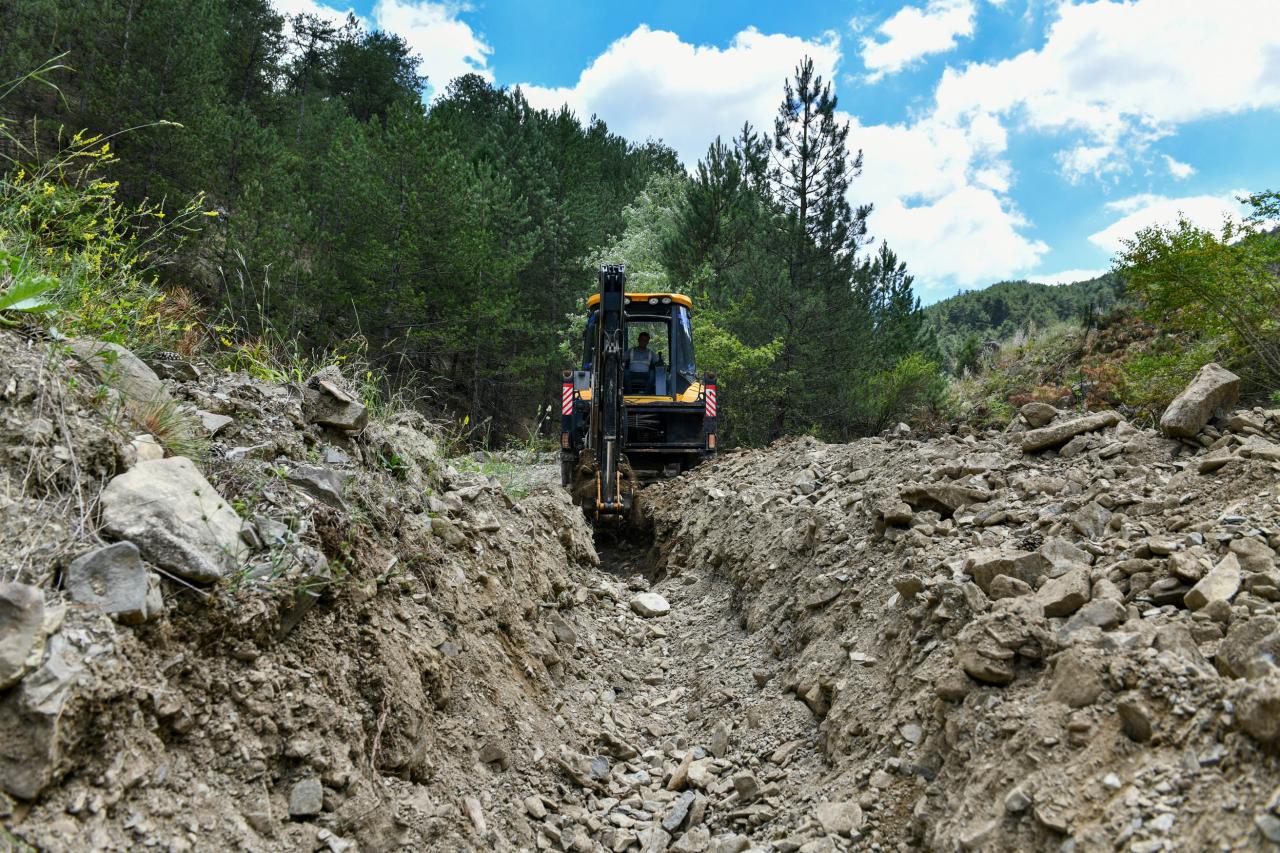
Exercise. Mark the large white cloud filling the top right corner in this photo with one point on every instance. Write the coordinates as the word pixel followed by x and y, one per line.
pixel 1122 75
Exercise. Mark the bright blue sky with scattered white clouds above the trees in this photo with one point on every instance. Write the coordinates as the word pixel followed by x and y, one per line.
pixel 1013 139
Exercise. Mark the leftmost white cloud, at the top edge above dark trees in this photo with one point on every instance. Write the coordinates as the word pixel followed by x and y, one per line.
pixel 446 45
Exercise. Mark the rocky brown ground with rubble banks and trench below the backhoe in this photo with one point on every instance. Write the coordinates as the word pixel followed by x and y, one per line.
pixel 314 632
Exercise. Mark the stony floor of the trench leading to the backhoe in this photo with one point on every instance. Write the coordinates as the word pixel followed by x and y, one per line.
pixel 705 750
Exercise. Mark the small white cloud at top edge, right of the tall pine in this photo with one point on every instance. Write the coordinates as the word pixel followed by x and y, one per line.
pixel 913 34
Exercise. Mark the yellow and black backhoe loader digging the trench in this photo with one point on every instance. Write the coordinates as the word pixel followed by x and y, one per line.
pixel 638 407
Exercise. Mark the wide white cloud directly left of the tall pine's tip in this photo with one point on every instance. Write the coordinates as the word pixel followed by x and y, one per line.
pixel 652 84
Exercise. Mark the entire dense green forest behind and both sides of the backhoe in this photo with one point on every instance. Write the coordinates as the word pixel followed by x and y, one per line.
pixel 284 184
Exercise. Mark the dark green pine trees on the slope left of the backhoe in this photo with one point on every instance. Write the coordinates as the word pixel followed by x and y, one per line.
pixel 455 238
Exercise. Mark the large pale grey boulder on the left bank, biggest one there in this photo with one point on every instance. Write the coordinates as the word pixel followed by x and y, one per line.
pixel 176 518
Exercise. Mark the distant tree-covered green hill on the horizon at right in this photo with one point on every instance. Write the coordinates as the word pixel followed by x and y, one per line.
pixel 1002 309
